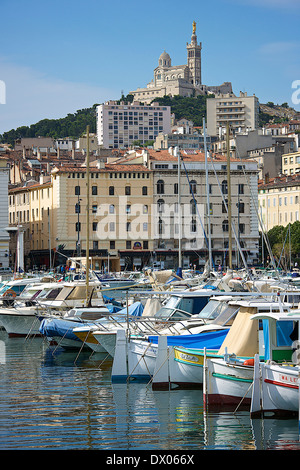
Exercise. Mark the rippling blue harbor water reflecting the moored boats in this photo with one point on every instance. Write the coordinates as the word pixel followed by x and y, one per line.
pixel 52 399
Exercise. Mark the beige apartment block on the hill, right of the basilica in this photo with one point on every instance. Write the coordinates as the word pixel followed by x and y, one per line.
pixel 241 112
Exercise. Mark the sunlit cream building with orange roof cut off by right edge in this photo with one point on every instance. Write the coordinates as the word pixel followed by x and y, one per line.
pixel 279 200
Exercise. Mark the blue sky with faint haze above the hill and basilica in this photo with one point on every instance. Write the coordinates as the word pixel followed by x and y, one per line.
pixel 60 56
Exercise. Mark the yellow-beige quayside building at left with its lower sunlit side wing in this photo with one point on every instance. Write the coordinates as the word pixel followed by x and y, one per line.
pixel 53 217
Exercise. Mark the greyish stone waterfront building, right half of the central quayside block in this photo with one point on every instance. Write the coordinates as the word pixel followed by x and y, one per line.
pixel 194 213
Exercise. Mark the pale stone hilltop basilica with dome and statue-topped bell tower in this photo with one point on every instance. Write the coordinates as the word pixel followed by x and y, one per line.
pixel 183 80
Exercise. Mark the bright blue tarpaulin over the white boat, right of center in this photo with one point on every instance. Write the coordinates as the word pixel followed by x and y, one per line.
pixel 210 340
